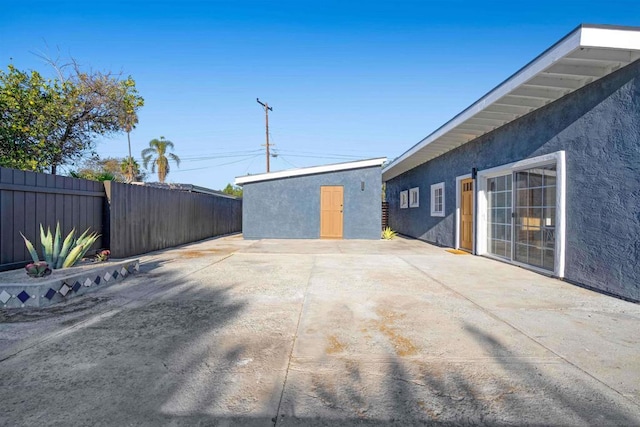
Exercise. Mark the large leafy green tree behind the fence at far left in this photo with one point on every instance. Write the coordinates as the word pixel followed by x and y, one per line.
pixel 50 122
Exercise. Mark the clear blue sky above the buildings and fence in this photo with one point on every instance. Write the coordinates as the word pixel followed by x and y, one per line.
pixel 347 80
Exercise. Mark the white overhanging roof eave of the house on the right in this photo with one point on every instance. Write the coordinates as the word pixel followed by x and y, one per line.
pixel 586 54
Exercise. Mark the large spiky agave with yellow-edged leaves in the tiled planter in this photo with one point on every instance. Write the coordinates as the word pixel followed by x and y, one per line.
pixel 58 253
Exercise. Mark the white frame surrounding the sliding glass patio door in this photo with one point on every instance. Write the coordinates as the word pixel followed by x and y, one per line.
pixel 558 158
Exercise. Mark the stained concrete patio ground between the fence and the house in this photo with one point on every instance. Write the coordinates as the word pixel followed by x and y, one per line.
pixel 399 332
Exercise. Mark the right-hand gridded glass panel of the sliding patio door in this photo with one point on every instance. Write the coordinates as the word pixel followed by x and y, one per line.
pixel 535 215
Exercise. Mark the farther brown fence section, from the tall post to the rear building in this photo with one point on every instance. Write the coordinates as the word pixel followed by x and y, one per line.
pixel 144 219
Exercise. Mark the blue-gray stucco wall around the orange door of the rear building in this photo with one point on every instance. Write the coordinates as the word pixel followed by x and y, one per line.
pixel 289 208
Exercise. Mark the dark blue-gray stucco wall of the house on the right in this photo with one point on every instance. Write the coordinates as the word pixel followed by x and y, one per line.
pixel 599 128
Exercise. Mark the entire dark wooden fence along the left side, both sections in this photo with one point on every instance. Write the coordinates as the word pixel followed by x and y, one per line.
pixel 132 219
